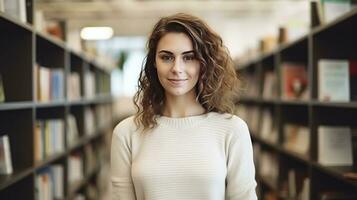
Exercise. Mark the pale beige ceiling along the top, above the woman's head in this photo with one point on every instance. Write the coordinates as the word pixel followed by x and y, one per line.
pixel 136 17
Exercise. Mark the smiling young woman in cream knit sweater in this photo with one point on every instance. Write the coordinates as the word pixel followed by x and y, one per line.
pixel 184 142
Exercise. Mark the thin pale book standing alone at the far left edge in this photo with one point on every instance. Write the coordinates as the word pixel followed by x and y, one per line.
pixel 5 155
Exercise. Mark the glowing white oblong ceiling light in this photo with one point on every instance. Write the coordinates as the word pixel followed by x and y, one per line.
pixel 96 33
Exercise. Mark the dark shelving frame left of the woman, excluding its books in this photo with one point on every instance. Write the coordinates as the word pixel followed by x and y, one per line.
pixel 22 47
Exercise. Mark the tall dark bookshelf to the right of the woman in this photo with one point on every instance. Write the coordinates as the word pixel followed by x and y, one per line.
pixel 334 40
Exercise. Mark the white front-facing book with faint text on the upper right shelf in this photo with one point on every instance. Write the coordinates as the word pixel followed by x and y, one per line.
pixel 333 80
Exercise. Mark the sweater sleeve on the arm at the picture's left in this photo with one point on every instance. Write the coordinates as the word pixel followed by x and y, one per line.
pixel 122 184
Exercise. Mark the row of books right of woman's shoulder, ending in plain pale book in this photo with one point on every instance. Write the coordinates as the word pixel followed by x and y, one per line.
pixel 335 143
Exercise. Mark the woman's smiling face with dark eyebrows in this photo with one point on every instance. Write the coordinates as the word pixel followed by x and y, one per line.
pixel 177 67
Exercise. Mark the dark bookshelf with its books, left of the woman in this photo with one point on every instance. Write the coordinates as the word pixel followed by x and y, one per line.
pixel 22 51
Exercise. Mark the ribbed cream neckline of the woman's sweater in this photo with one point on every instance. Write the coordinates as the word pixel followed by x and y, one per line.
pixel 182 122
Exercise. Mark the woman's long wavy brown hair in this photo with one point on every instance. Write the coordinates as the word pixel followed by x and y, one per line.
pixel 218 84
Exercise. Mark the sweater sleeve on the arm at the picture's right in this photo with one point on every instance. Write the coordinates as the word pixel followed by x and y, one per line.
pixel 240 166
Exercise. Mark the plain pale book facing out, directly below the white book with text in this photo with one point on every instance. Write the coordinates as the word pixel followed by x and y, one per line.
pixel 335 146
